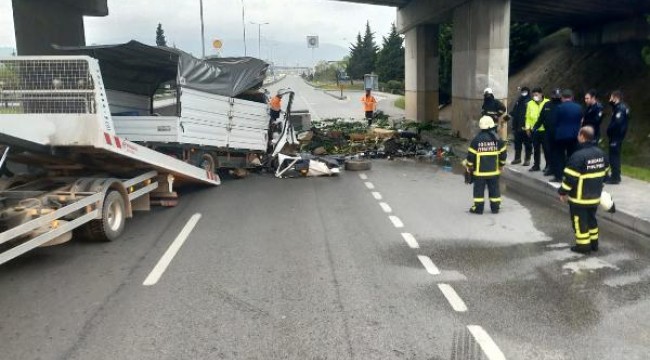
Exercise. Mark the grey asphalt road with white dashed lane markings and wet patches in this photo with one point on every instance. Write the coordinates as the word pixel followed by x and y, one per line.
pixel 385 264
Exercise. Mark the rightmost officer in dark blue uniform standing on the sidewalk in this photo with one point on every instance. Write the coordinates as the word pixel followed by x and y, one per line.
pixel 616 132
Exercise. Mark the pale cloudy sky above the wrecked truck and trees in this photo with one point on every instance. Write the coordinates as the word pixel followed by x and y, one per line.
pixel 283 39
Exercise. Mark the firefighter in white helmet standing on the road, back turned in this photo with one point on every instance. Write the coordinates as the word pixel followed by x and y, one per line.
pixel 485 158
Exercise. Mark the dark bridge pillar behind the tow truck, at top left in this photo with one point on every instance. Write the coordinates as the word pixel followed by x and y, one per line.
pixel 41 23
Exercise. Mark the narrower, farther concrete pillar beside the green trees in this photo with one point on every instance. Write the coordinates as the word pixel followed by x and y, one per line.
pixel 421 71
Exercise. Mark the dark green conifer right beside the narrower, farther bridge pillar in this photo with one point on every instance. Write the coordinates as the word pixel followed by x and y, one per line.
pixel 390 59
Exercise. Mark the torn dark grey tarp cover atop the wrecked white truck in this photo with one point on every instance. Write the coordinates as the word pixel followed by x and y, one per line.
pixel 137 68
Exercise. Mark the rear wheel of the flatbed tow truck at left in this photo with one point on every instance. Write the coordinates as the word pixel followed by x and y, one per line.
pixel 111 225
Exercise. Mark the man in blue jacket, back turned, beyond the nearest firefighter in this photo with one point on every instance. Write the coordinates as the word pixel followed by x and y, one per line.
pixel 567 126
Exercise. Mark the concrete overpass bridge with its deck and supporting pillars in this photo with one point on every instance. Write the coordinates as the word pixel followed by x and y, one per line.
pixel 481 39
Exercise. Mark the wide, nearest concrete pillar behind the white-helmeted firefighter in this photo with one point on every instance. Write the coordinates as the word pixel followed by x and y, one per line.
pixel 480 59
